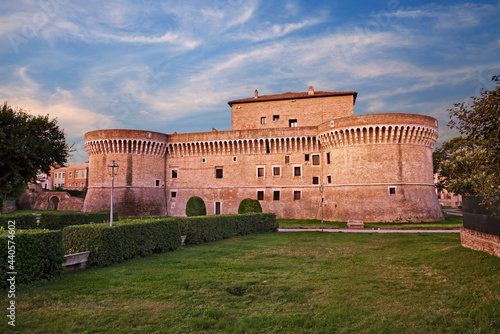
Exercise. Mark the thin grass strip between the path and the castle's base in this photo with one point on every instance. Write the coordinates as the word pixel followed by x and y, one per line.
pixel 451 222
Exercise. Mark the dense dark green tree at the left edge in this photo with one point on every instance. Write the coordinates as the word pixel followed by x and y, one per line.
pixel 28 145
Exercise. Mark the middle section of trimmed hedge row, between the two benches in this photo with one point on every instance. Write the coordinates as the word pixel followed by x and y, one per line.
pixel 111 245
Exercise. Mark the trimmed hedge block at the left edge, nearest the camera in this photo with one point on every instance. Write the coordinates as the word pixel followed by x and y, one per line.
pixel 38 255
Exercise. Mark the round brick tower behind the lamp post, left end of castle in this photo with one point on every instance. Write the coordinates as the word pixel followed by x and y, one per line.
pixel 139 188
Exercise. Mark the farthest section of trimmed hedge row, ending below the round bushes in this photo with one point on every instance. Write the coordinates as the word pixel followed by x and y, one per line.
pixel 211 228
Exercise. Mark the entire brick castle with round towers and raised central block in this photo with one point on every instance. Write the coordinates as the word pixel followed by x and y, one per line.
pixel 299 154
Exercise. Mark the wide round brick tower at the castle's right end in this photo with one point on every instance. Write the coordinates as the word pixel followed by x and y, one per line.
pixel 379 168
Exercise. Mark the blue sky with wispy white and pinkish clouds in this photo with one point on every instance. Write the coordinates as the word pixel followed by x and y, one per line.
pixel 170 66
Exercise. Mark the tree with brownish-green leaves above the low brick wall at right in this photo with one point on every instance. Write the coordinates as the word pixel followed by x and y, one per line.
pixel 470 165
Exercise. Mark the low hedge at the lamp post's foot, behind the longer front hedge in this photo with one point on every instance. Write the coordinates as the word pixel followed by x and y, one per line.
pixel 58 221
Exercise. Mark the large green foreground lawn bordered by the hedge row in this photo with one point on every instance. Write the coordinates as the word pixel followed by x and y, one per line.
pixel 304 282
